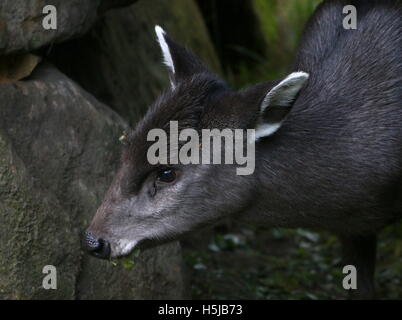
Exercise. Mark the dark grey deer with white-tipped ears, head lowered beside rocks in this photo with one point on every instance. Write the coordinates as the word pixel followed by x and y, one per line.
pixel 328 145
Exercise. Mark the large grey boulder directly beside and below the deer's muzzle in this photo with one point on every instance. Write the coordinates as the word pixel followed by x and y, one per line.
pixel 58 152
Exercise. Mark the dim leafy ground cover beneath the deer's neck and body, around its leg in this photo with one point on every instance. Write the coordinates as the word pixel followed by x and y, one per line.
pixel 285 264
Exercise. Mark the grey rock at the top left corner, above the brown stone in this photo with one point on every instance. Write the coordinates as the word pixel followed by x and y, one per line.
pixel 21 21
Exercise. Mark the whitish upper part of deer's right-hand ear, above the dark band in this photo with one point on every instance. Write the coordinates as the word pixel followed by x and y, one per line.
pixel 285 92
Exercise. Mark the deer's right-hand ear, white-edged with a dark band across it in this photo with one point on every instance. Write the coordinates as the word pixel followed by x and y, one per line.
pixel 277 103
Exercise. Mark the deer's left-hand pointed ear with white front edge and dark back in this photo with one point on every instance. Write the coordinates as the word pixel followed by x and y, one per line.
pixel 181 62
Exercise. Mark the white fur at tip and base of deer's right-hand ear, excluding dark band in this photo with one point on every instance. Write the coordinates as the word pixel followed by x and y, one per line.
pixel 282 95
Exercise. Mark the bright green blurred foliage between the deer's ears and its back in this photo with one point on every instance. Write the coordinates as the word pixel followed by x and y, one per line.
pixel 282 23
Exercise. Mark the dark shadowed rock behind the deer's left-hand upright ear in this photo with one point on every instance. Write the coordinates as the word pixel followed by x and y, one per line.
pixel 119 60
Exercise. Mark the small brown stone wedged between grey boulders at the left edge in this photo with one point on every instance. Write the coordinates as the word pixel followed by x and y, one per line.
pixel 18 66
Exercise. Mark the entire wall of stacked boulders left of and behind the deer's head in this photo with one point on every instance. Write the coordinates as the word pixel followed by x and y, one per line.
pixel 59 145
